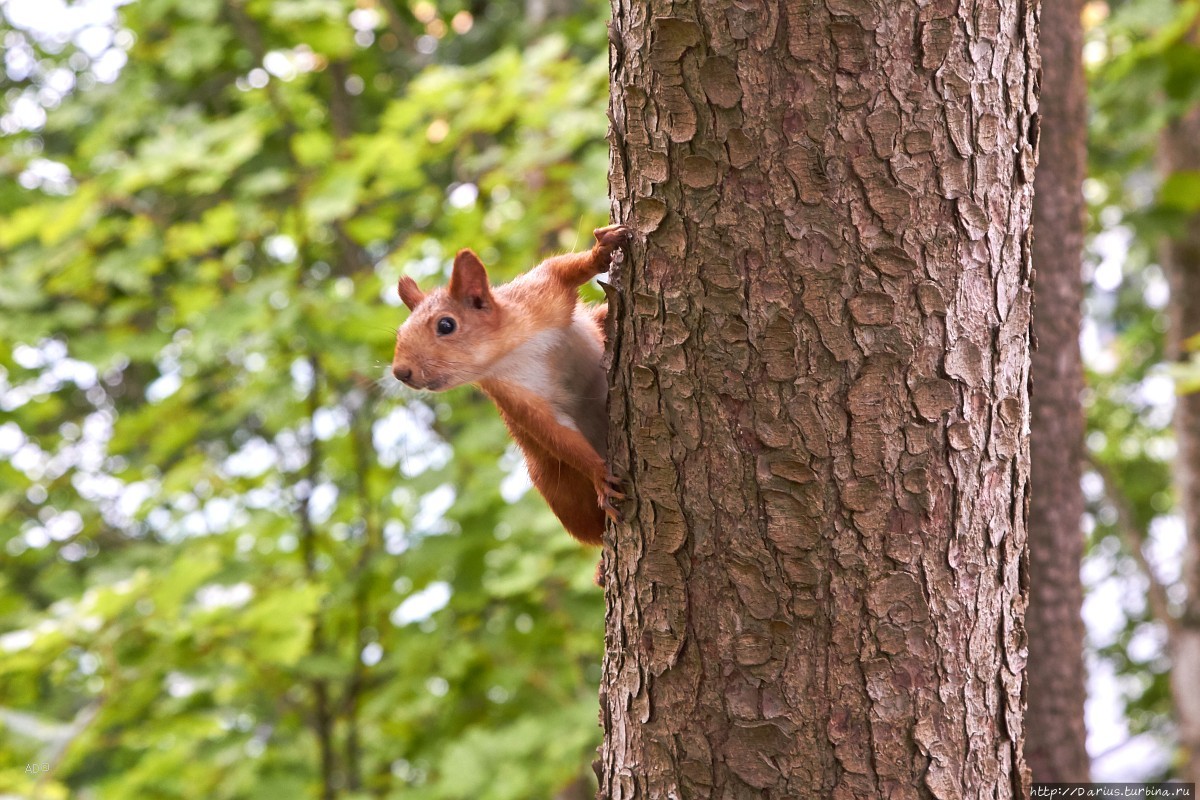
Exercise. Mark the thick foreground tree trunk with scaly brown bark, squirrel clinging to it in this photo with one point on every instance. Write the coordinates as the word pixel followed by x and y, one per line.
pixel 820 399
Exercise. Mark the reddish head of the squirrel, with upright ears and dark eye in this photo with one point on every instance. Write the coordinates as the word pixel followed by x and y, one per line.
pixel 451 338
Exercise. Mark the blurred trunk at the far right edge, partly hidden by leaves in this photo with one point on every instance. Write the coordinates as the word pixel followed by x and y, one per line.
pixel 1181 260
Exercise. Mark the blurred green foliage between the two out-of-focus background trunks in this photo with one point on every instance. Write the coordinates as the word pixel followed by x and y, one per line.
pixel 1144 74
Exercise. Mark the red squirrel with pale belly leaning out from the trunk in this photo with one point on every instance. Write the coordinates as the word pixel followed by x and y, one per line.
pixel 536 351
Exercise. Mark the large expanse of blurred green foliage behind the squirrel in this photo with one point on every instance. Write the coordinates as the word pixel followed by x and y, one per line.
pixel 235 567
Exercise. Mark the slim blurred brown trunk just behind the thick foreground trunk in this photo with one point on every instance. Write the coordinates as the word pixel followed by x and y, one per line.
pixel 1057 745
